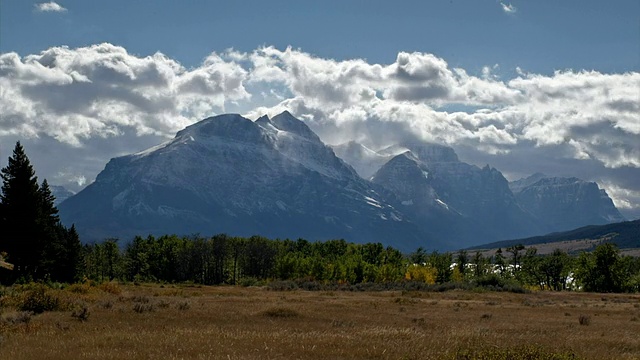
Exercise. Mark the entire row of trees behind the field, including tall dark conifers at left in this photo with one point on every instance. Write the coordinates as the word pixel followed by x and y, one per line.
pixel 34 240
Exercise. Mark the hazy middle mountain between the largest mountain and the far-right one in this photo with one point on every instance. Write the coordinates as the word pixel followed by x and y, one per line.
pixel 450 199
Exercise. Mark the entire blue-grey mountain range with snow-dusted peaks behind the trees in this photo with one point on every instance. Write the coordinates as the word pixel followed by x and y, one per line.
pixel 276 178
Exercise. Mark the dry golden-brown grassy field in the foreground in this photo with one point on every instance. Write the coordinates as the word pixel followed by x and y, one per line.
pixel 179 322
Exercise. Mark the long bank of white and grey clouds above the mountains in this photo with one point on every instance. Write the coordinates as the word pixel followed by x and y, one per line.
pixel 101 99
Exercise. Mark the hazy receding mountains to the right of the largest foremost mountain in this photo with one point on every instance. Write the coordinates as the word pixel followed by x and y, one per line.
pixel 462 203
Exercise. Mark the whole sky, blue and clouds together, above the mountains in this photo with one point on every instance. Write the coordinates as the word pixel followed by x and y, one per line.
pixel 524 86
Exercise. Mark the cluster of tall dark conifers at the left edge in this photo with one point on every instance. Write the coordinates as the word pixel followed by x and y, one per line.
pixel 30 230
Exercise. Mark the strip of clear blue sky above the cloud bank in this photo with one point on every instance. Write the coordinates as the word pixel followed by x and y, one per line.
pixel 540 36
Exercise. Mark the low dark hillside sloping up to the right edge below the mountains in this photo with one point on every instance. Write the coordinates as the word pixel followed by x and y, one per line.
pixel 626 235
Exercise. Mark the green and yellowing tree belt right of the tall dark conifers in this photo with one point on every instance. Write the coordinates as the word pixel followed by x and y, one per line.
pixel 222 259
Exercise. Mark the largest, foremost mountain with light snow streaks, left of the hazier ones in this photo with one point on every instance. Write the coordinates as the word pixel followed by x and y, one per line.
pixel 272 177
